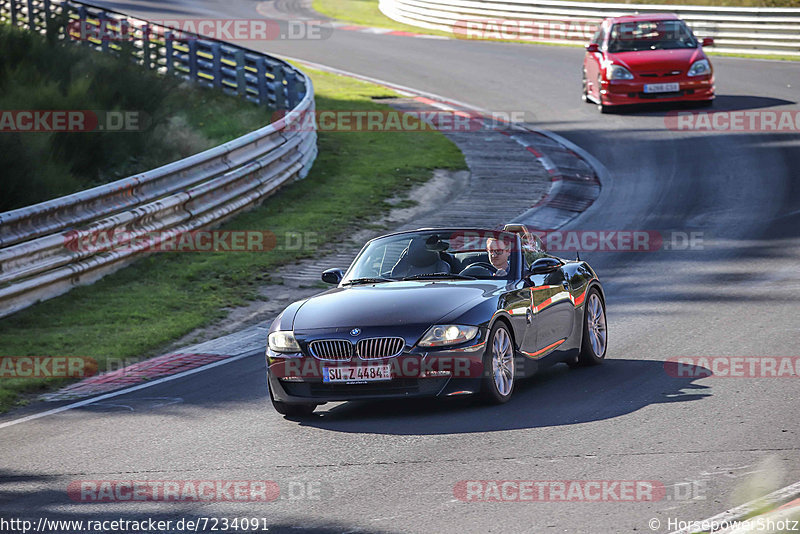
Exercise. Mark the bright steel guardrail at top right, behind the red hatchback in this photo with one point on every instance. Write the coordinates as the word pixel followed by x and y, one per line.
pixel 738 30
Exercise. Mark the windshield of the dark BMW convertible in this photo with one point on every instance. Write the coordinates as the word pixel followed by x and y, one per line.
pixel 445 254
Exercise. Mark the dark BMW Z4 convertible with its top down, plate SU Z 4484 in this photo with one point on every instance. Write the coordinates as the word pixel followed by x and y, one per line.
pixel 436 312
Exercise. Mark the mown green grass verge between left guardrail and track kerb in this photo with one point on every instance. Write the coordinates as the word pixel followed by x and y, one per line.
pixel 138 310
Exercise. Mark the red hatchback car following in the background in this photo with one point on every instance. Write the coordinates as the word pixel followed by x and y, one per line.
pixel 639 59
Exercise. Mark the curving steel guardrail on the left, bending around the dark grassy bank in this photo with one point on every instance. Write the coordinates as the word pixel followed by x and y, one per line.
pixel 37 260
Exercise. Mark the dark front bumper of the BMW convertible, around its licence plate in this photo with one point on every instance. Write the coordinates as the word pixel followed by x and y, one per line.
pixel 433 374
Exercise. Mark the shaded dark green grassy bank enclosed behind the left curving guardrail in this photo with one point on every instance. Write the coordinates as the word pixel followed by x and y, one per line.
pixel 37 73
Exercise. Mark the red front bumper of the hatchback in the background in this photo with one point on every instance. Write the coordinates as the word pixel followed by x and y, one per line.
pixel 627 92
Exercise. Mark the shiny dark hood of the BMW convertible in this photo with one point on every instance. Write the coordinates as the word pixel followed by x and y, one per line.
pixel 391 304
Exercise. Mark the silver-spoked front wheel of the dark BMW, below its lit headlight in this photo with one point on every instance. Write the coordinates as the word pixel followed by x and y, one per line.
pixel 498 365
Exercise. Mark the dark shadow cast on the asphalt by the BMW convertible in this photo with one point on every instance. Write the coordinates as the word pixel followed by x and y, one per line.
pixel 557 396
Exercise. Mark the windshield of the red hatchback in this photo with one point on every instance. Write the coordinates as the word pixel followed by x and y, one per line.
pixel 650 35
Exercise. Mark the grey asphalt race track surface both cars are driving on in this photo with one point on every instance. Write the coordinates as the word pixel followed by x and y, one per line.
pixel 393 466
